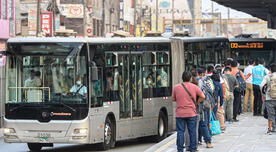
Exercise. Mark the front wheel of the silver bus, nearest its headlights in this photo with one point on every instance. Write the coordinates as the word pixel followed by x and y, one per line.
pixel 109 133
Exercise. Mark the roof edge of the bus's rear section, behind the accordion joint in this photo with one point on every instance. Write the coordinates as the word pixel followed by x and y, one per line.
pixel 200 39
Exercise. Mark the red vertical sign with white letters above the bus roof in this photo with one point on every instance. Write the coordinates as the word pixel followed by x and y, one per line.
pixel 47 23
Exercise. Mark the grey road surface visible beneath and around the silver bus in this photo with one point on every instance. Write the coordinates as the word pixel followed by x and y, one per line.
pixel 123 146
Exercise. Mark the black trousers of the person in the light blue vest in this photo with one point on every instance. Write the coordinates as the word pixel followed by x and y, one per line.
pixel 257 100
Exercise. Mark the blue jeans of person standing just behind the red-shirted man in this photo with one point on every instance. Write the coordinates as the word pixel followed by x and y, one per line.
pixel 203 129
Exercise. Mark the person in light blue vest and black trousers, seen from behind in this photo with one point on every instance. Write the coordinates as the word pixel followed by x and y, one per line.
pixel 258 74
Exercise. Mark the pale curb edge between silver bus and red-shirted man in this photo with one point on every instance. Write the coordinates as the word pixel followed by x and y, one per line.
pixel 163 144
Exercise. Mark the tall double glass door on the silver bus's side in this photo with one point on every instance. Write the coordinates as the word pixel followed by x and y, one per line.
pixel 130 85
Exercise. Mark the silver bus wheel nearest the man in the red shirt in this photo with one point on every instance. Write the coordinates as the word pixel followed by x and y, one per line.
pixel 162 129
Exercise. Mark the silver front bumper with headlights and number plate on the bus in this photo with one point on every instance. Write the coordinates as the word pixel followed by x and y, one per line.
pixel 32 131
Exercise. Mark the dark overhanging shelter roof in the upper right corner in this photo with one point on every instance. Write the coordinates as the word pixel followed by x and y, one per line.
pixel 263 9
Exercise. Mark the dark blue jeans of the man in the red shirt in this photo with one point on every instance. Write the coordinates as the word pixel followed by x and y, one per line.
pixel 180 127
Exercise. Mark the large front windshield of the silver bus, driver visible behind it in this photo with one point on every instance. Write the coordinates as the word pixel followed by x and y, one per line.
pixel 40 73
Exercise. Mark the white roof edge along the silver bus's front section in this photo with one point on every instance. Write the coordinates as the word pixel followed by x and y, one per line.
pixel 89 40
